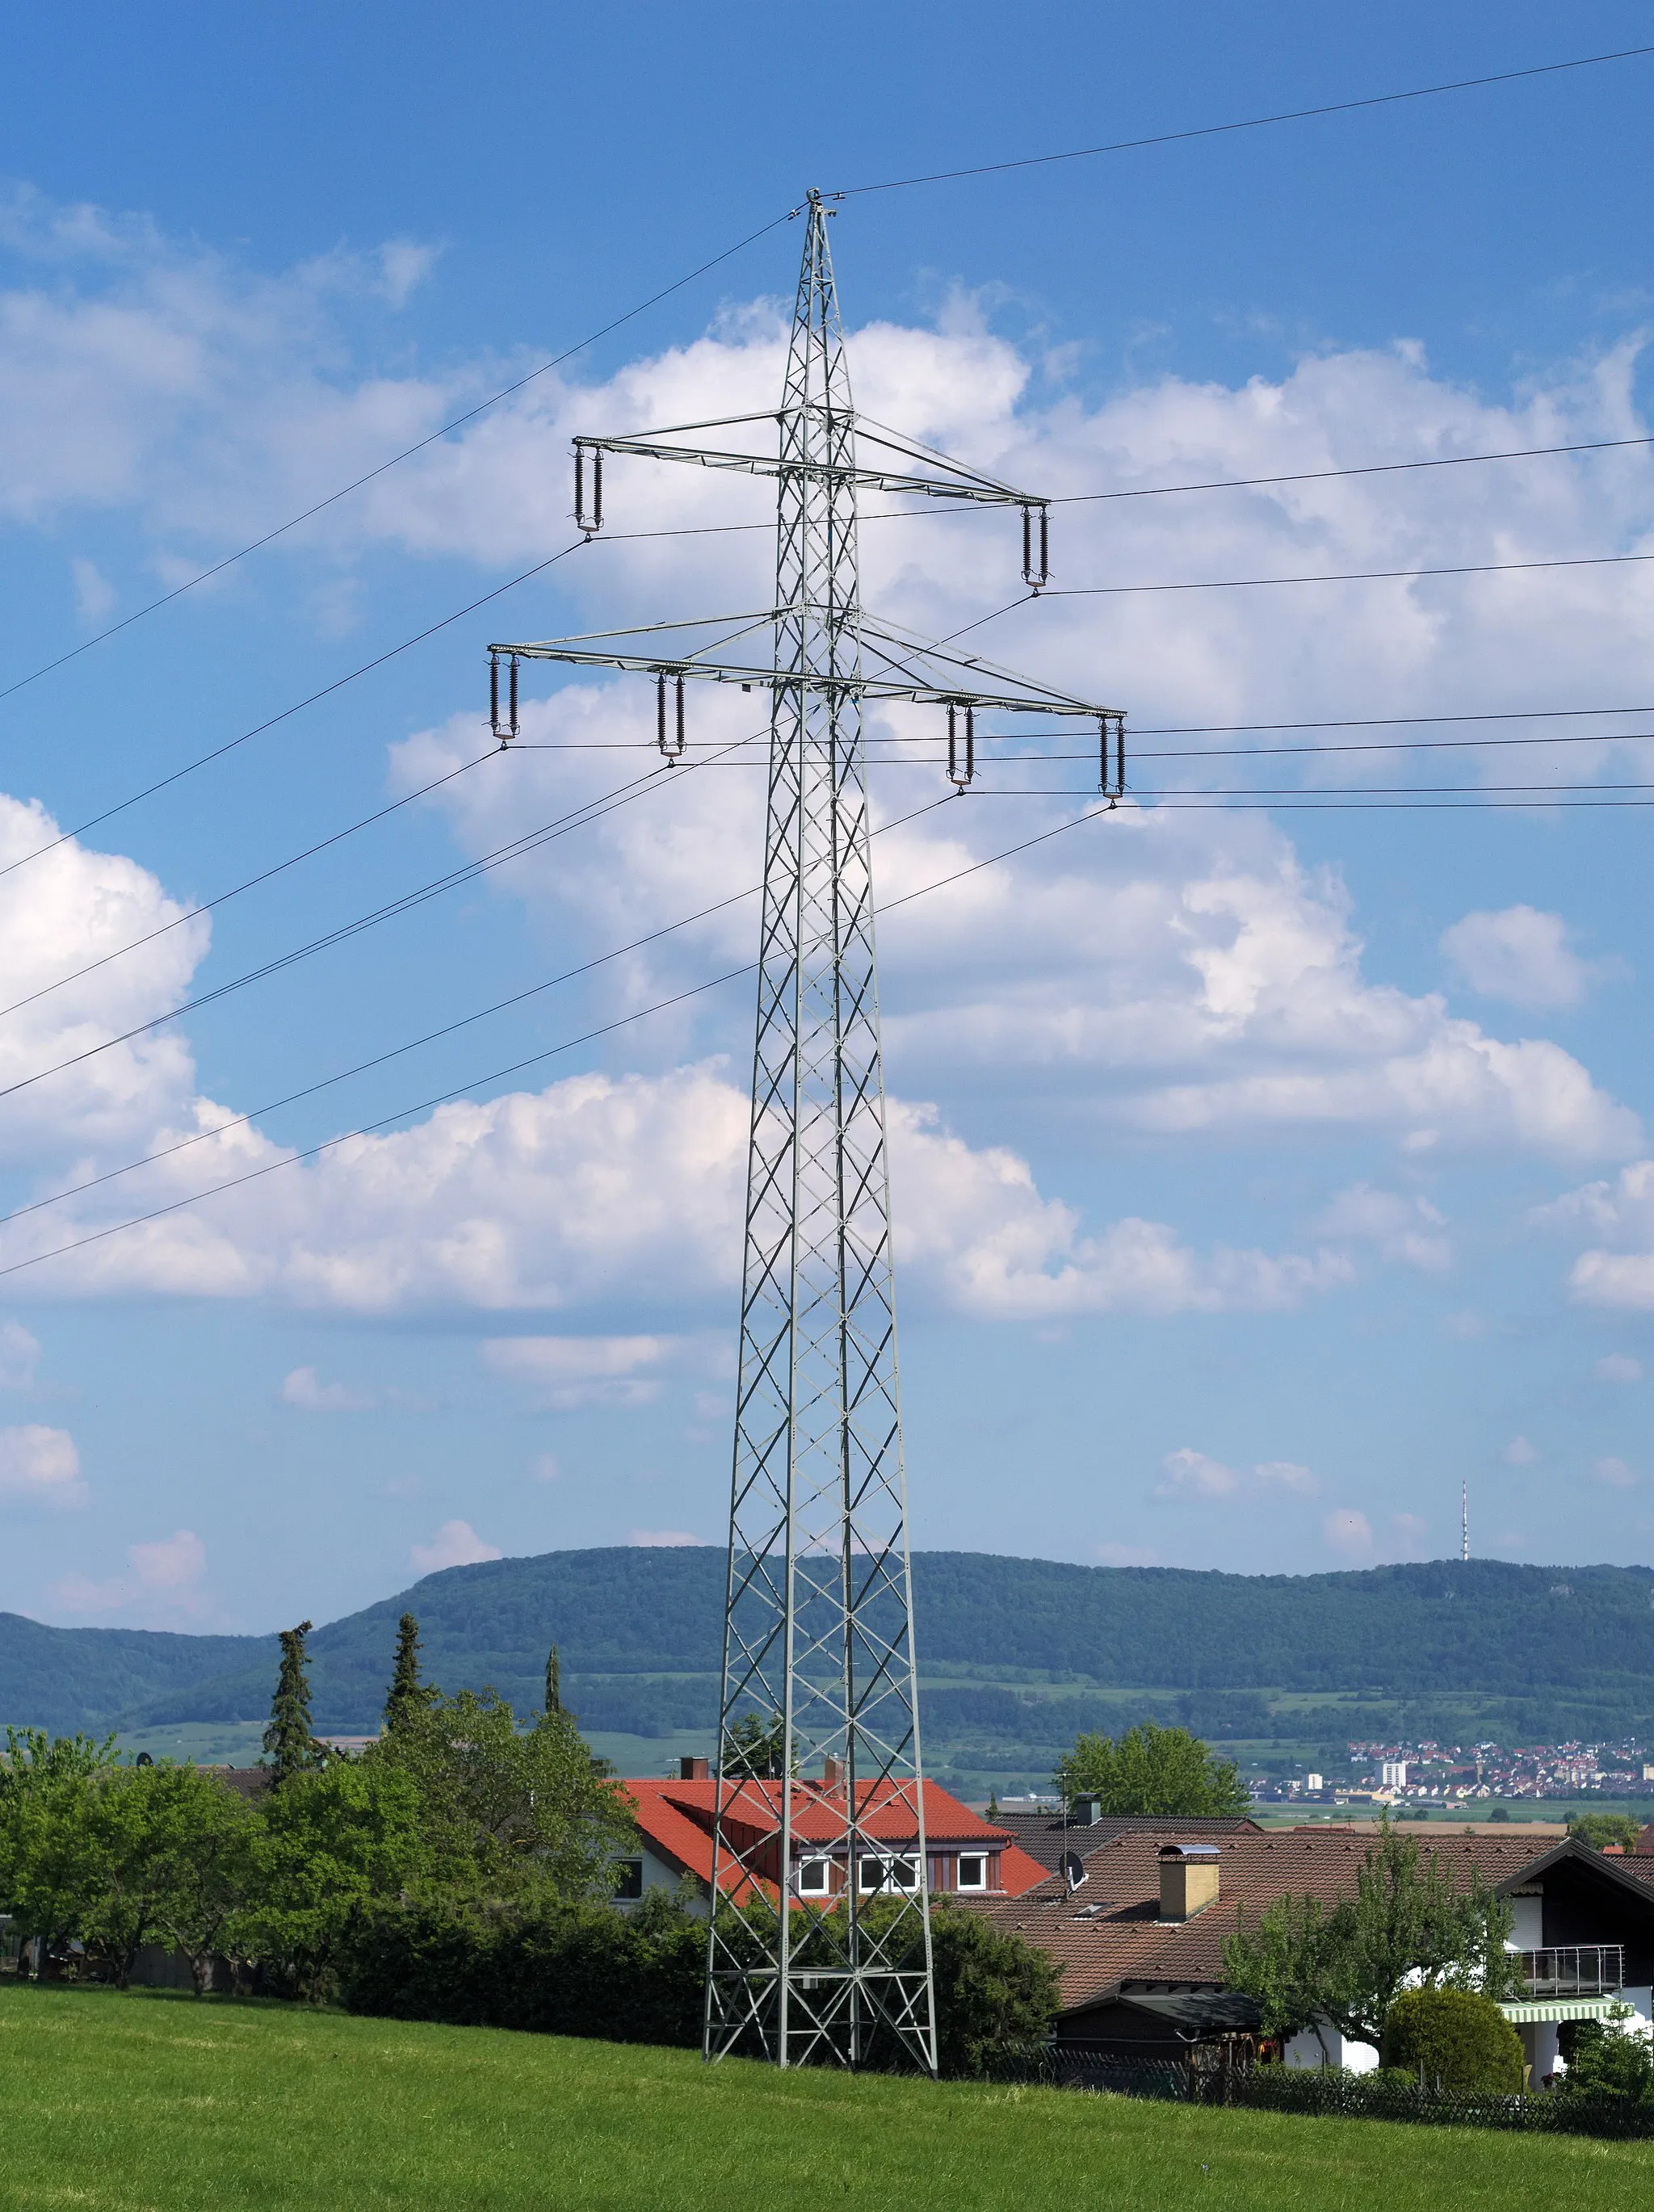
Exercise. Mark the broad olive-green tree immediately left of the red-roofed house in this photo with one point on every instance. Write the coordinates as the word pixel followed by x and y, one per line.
pixel 505 1811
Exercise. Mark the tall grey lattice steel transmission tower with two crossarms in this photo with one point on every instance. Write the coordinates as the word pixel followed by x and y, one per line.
pixel 819 1804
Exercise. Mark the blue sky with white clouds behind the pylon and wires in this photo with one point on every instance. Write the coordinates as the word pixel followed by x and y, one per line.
pixel 1262 1173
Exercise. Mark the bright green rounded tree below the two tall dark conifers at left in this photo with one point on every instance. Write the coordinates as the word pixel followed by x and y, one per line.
pixel 331 1844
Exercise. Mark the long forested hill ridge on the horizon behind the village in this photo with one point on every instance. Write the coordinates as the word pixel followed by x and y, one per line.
pixel 1582 1636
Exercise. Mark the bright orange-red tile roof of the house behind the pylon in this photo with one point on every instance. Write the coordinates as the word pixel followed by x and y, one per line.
pixel 678 1819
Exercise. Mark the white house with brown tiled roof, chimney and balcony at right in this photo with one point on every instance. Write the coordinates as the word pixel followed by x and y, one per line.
pixel 1149 1921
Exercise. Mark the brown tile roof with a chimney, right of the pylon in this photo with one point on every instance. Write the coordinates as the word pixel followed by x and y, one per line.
pixel 1111 1932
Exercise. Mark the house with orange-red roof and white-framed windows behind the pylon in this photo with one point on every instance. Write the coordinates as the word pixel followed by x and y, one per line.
pixel 965 1855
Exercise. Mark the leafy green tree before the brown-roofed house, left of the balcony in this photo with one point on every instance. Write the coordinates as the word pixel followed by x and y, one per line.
pixel 1405 1923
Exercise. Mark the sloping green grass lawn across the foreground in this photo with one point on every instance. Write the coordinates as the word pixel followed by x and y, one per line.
pixel 160 2103
